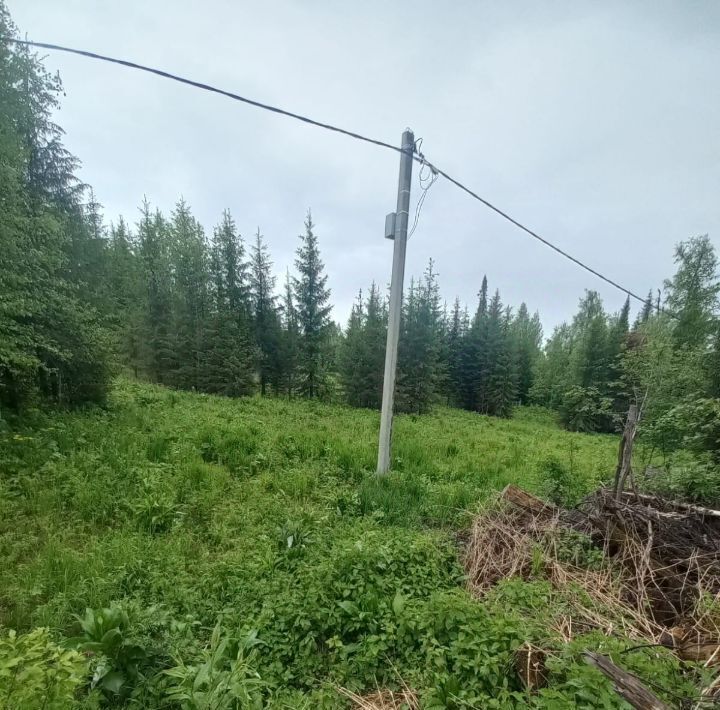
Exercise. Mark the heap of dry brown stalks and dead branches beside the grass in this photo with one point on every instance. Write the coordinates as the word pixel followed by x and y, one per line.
pixel 653 576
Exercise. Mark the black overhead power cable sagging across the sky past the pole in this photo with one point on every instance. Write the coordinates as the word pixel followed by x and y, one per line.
pixel 351 134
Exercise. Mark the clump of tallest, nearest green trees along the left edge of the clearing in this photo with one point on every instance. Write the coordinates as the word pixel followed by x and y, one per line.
pixel 52 343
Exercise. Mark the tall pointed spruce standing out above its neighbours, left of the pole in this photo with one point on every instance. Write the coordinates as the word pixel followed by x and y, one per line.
pixel 312 297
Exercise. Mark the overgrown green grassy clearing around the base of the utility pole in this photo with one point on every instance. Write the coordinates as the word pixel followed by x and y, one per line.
pixel 262 519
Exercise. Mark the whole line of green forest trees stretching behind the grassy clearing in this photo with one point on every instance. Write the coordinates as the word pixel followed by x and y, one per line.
pixel 177 306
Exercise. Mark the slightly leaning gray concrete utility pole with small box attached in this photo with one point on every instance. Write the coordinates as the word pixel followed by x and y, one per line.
pixel 396 229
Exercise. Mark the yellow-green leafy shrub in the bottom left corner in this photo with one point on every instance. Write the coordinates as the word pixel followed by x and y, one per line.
pixel 36 673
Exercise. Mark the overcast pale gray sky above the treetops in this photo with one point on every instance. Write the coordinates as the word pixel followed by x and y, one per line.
pixel 598 124
